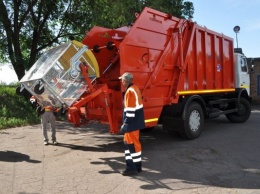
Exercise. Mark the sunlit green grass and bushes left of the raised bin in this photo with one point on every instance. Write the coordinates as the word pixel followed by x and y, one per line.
pixel 15 110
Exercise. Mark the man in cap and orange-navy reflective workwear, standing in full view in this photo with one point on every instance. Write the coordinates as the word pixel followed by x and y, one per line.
pixel 133 121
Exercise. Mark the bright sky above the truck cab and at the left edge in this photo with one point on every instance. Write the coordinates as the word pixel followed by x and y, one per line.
pixel 220 16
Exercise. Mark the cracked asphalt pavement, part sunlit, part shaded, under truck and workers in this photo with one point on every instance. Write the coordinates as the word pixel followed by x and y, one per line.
pixel 224 159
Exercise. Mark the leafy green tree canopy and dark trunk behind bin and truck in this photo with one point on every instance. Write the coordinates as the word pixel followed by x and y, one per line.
pixel 29 27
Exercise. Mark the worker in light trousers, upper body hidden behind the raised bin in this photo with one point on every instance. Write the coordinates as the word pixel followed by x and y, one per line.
pixel 47 116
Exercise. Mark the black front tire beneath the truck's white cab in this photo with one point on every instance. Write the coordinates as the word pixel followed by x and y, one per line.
pixel 244 112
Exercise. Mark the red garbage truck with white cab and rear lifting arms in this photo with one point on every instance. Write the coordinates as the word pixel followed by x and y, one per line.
pixel 186 73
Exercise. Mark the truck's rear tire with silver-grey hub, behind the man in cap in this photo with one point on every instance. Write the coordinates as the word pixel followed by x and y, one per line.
pixel 194 121
